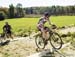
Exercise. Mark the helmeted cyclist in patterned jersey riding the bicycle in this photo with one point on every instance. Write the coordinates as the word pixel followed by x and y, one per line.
pixel 41 23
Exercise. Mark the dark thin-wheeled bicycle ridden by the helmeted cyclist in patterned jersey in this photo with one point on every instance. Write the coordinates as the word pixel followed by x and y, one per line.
pixel 54 39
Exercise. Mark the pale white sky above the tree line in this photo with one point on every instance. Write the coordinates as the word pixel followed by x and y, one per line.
pixel 38 3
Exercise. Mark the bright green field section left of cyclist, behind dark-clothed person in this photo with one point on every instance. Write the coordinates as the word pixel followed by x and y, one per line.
pixel 20 23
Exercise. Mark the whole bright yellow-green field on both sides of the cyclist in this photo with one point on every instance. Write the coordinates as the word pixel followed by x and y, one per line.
pixel 27 23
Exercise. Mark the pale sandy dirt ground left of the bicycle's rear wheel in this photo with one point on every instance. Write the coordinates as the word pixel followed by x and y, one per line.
pixel 20 48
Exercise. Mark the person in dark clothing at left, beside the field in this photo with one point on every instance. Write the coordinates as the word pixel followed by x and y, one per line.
pixel 7 30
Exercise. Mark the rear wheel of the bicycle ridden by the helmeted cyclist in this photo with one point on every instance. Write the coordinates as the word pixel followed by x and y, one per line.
pixel 39 42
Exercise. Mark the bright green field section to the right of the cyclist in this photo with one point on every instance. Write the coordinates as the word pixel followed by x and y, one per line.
pixel 63 20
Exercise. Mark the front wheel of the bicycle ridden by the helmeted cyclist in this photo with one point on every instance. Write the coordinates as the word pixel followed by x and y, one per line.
pixel 56 41
